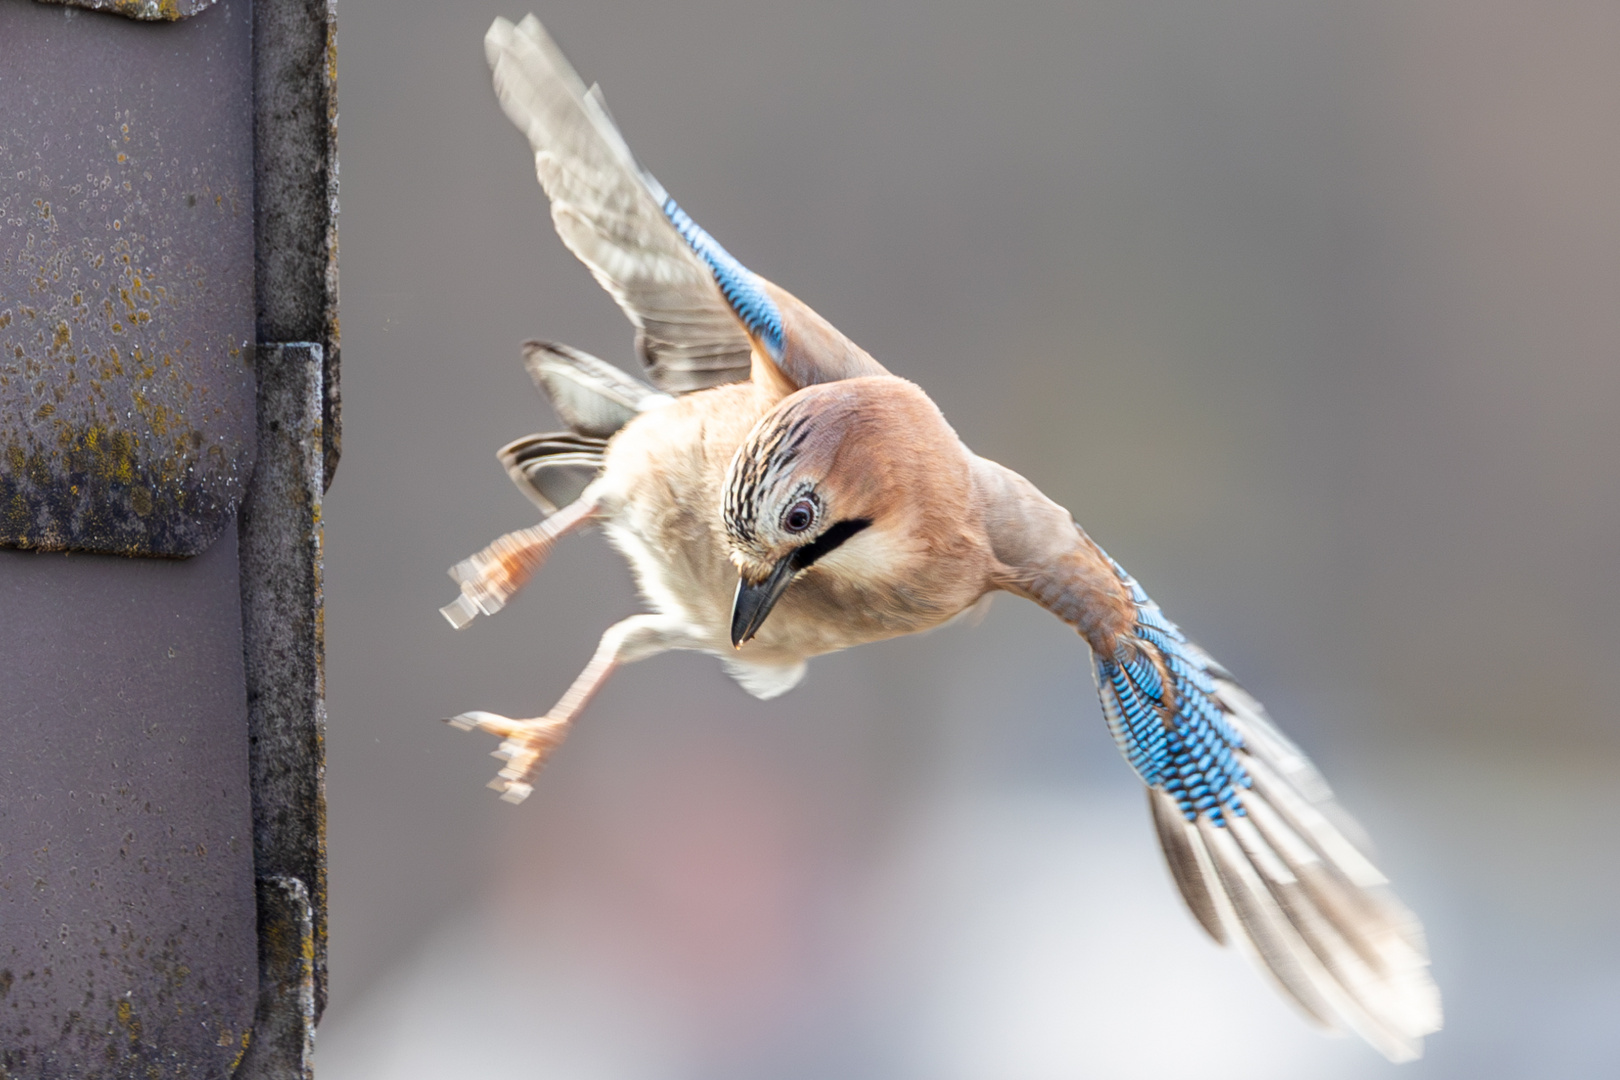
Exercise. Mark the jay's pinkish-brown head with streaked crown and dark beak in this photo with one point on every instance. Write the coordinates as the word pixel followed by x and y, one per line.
pixel 843 477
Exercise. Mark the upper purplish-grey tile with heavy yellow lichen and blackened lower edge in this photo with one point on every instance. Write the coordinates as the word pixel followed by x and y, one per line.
pixel 126 279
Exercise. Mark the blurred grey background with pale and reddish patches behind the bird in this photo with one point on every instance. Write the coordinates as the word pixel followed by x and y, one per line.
pixel 1308 312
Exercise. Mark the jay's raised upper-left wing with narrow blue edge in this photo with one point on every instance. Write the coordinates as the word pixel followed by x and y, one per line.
pixel 702 318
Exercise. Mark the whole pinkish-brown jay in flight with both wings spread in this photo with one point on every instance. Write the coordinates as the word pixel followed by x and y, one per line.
pixel 780 496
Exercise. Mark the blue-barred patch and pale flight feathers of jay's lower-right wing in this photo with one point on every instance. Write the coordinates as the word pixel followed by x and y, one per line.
pixel 1258 846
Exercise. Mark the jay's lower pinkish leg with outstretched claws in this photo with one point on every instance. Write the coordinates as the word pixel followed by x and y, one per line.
pixel 526 744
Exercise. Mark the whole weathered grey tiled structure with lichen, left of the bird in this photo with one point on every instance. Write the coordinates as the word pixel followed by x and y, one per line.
pixel 143 794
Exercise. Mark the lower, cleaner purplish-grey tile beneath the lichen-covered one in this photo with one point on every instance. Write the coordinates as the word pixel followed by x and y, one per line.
pixel 127 903
